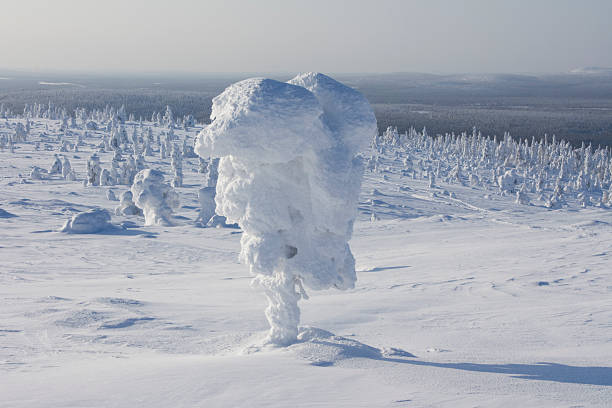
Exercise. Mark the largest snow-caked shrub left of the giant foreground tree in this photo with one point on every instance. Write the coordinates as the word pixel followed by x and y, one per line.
pixel 156 199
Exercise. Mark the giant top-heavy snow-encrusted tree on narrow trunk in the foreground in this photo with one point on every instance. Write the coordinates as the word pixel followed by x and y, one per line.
pixel 289 175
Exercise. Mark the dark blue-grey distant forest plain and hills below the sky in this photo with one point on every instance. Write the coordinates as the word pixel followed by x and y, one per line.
pixel 575 107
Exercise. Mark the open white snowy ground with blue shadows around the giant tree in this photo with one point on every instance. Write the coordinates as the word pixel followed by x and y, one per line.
pixel 465 301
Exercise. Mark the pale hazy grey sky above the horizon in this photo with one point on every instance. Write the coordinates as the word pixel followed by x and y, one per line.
pixel 440 36
